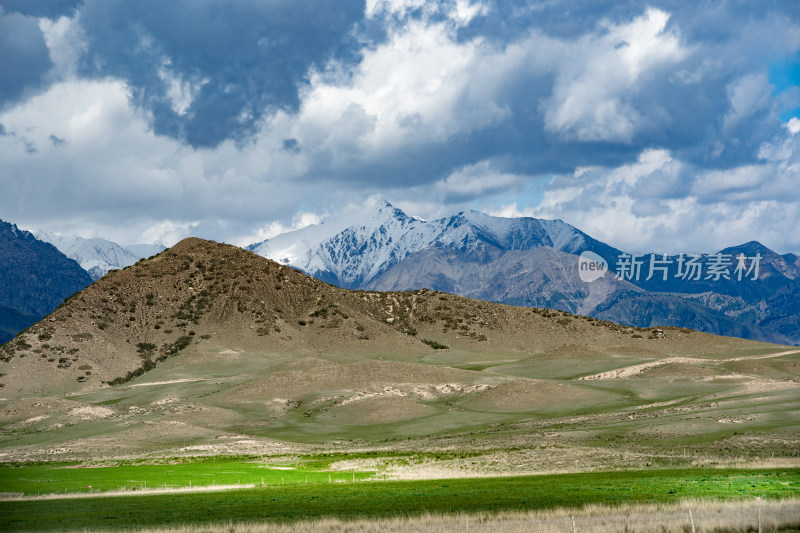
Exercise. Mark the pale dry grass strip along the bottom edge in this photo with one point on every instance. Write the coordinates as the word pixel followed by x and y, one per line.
pixel 707 516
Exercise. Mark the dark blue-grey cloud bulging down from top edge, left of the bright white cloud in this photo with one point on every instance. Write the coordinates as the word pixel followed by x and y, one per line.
pixel 229 61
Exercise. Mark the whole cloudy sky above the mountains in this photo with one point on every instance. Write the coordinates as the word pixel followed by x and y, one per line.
pixel 666 126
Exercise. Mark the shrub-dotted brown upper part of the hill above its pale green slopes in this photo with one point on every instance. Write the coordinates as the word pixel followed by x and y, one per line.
pixel 205 297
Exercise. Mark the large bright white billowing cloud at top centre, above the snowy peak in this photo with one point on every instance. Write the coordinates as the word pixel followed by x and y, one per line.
pixel 419 87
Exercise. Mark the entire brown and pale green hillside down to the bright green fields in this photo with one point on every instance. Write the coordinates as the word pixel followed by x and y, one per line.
pixel 209 349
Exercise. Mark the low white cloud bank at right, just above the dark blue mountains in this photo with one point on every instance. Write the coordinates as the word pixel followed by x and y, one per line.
pixel 625 206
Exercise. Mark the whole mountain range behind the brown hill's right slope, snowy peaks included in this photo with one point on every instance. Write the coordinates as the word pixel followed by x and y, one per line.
pixel 533 262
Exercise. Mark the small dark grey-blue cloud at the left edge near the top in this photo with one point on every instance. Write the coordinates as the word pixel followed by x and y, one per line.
pixel 24 58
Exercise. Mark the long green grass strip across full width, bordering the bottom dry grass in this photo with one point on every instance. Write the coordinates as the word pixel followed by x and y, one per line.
pixel 390 498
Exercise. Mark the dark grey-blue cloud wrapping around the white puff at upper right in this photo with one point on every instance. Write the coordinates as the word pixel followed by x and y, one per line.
pixel 687 101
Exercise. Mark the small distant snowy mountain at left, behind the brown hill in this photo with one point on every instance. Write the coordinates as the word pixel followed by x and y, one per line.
pixel 96 256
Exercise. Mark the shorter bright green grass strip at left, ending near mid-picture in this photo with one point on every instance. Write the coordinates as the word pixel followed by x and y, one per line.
pixel 58 478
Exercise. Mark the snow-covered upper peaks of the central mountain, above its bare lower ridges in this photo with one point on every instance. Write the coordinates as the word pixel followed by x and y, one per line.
pixel 353 250
